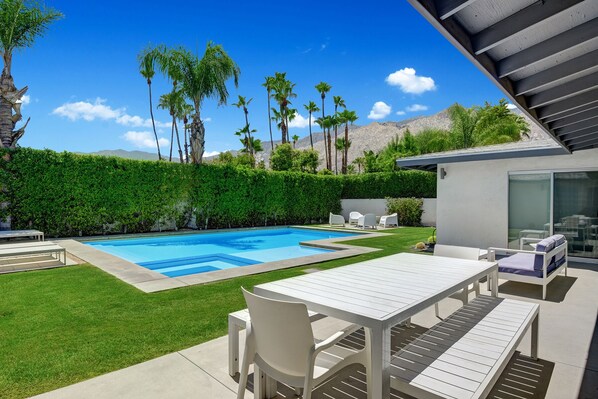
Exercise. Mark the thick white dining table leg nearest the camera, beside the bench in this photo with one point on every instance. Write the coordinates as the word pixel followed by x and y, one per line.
pixel 378 369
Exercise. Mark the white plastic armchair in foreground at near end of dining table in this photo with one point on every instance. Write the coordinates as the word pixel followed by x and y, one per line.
pixel 280 343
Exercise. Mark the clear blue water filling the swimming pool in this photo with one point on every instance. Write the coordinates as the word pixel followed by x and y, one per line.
pixel 204 252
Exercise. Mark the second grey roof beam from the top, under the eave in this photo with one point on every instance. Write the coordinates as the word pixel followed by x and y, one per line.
pixel 515 24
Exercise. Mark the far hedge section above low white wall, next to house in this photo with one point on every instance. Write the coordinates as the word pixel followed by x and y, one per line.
pixel 390 184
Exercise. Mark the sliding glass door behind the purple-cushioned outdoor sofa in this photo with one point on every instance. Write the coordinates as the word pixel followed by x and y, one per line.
pixel 547 203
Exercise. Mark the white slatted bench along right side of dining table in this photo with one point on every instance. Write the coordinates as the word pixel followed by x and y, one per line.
pixel 463 356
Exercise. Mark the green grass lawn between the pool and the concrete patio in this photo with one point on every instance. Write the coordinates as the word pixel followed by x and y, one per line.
pixel 61 326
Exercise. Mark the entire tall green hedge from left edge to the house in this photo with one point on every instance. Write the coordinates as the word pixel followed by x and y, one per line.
pixel 64 194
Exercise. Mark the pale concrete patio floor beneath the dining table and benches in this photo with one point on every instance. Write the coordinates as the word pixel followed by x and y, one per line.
pixel 568 365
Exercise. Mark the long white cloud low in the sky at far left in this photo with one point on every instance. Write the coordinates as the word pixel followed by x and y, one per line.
pixel 89 112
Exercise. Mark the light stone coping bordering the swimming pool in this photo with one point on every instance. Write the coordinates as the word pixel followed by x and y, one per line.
pixel 150 281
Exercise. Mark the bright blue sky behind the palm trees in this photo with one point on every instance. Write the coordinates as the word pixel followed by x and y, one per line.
pixel 86 94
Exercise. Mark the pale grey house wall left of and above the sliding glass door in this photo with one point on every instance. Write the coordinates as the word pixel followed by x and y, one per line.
pixel 472 207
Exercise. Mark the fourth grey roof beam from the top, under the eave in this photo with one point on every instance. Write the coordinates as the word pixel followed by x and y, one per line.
pixel 561 71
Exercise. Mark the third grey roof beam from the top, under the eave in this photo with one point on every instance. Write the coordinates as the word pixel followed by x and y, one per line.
pixel 555 45
